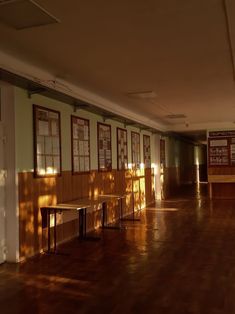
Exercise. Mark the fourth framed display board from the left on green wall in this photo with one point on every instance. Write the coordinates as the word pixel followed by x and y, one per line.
pixel 122 160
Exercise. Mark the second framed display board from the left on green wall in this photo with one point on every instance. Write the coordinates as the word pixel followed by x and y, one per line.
pixel 80 134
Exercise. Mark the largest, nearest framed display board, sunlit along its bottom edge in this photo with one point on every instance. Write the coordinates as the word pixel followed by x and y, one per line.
pixel 47 142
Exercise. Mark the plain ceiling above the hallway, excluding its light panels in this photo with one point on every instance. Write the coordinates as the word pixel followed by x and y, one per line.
pixel 178 49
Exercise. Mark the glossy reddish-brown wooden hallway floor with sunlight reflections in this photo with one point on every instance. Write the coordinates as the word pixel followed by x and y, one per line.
pixel 180 259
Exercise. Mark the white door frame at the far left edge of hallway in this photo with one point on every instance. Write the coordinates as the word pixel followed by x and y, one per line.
pixel 8 112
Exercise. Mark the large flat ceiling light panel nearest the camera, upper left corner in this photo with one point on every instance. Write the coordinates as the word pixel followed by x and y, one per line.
pixel 21 14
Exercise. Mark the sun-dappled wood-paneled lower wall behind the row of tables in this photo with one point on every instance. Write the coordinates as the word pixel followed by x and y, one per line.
pixel 37 192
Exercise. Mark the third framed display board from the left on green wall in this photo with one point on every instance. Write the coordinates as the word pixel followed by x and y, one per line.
pixel 104 147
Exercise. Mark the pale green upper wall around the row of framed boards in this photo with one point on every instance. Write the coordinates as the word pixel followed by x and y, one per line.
pixel 24 132
